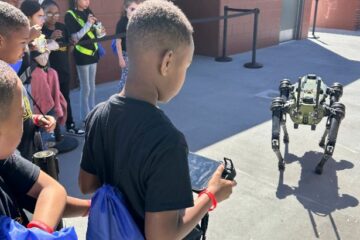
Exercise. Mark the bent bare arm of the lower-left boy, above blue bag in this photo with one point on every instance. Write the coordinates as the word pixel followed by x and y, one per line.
pixel 51 200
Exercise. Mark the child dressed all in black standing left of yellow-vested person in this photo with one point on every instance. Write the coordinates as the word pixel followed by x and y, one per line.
pixel 59 60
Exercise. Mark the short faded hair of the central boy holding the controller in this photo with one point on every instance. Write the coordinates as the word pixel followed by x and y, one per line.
pixel 158 24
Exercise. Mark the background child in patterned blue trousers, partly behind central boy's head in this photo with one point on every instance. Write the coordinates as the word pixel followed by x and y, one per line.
pixel 130 6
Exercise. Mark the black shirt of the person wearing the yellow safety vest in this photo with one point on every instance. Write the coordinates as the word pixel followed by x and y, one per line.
pixel 73 27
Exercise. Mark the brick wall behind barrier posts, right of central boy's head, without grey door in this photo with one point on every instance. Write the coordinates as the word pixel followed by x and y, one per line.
pixel 208 36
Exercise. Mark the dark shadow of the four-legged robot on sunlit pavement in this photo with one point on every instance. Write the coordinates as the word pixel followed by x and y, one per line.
pixel 319 194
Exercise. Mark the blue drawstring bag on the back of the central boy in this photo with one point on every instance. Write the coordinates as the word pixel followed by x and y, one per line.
pixel 109 217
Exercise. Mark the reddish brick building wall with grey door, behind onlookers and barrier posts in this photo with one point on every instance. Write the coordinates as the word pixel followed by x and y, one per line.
pixel 279 20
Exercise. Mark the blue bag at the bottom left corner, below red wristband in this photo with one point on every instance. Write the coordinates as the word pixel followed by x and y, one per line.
pixel 12 230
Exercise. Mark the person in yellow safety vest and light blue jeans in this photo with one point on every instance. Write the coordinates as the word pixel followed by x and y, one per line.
pixel 79 21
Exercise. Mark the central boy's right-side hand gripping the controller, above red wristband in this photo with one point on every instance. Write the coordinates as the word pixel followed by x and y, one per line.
pixel 221 188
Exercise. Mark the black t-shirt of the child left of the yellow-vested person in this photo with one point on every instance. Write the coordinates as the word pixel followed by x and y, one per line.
pixel 59 59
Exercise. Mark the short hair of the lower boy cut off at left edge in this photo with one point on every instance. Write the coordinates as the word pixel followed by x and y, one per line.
pixel 8 83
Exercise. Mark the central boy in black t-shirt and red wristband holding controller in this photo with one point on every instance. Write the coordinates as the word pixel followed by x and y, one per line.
pixel 131 144
